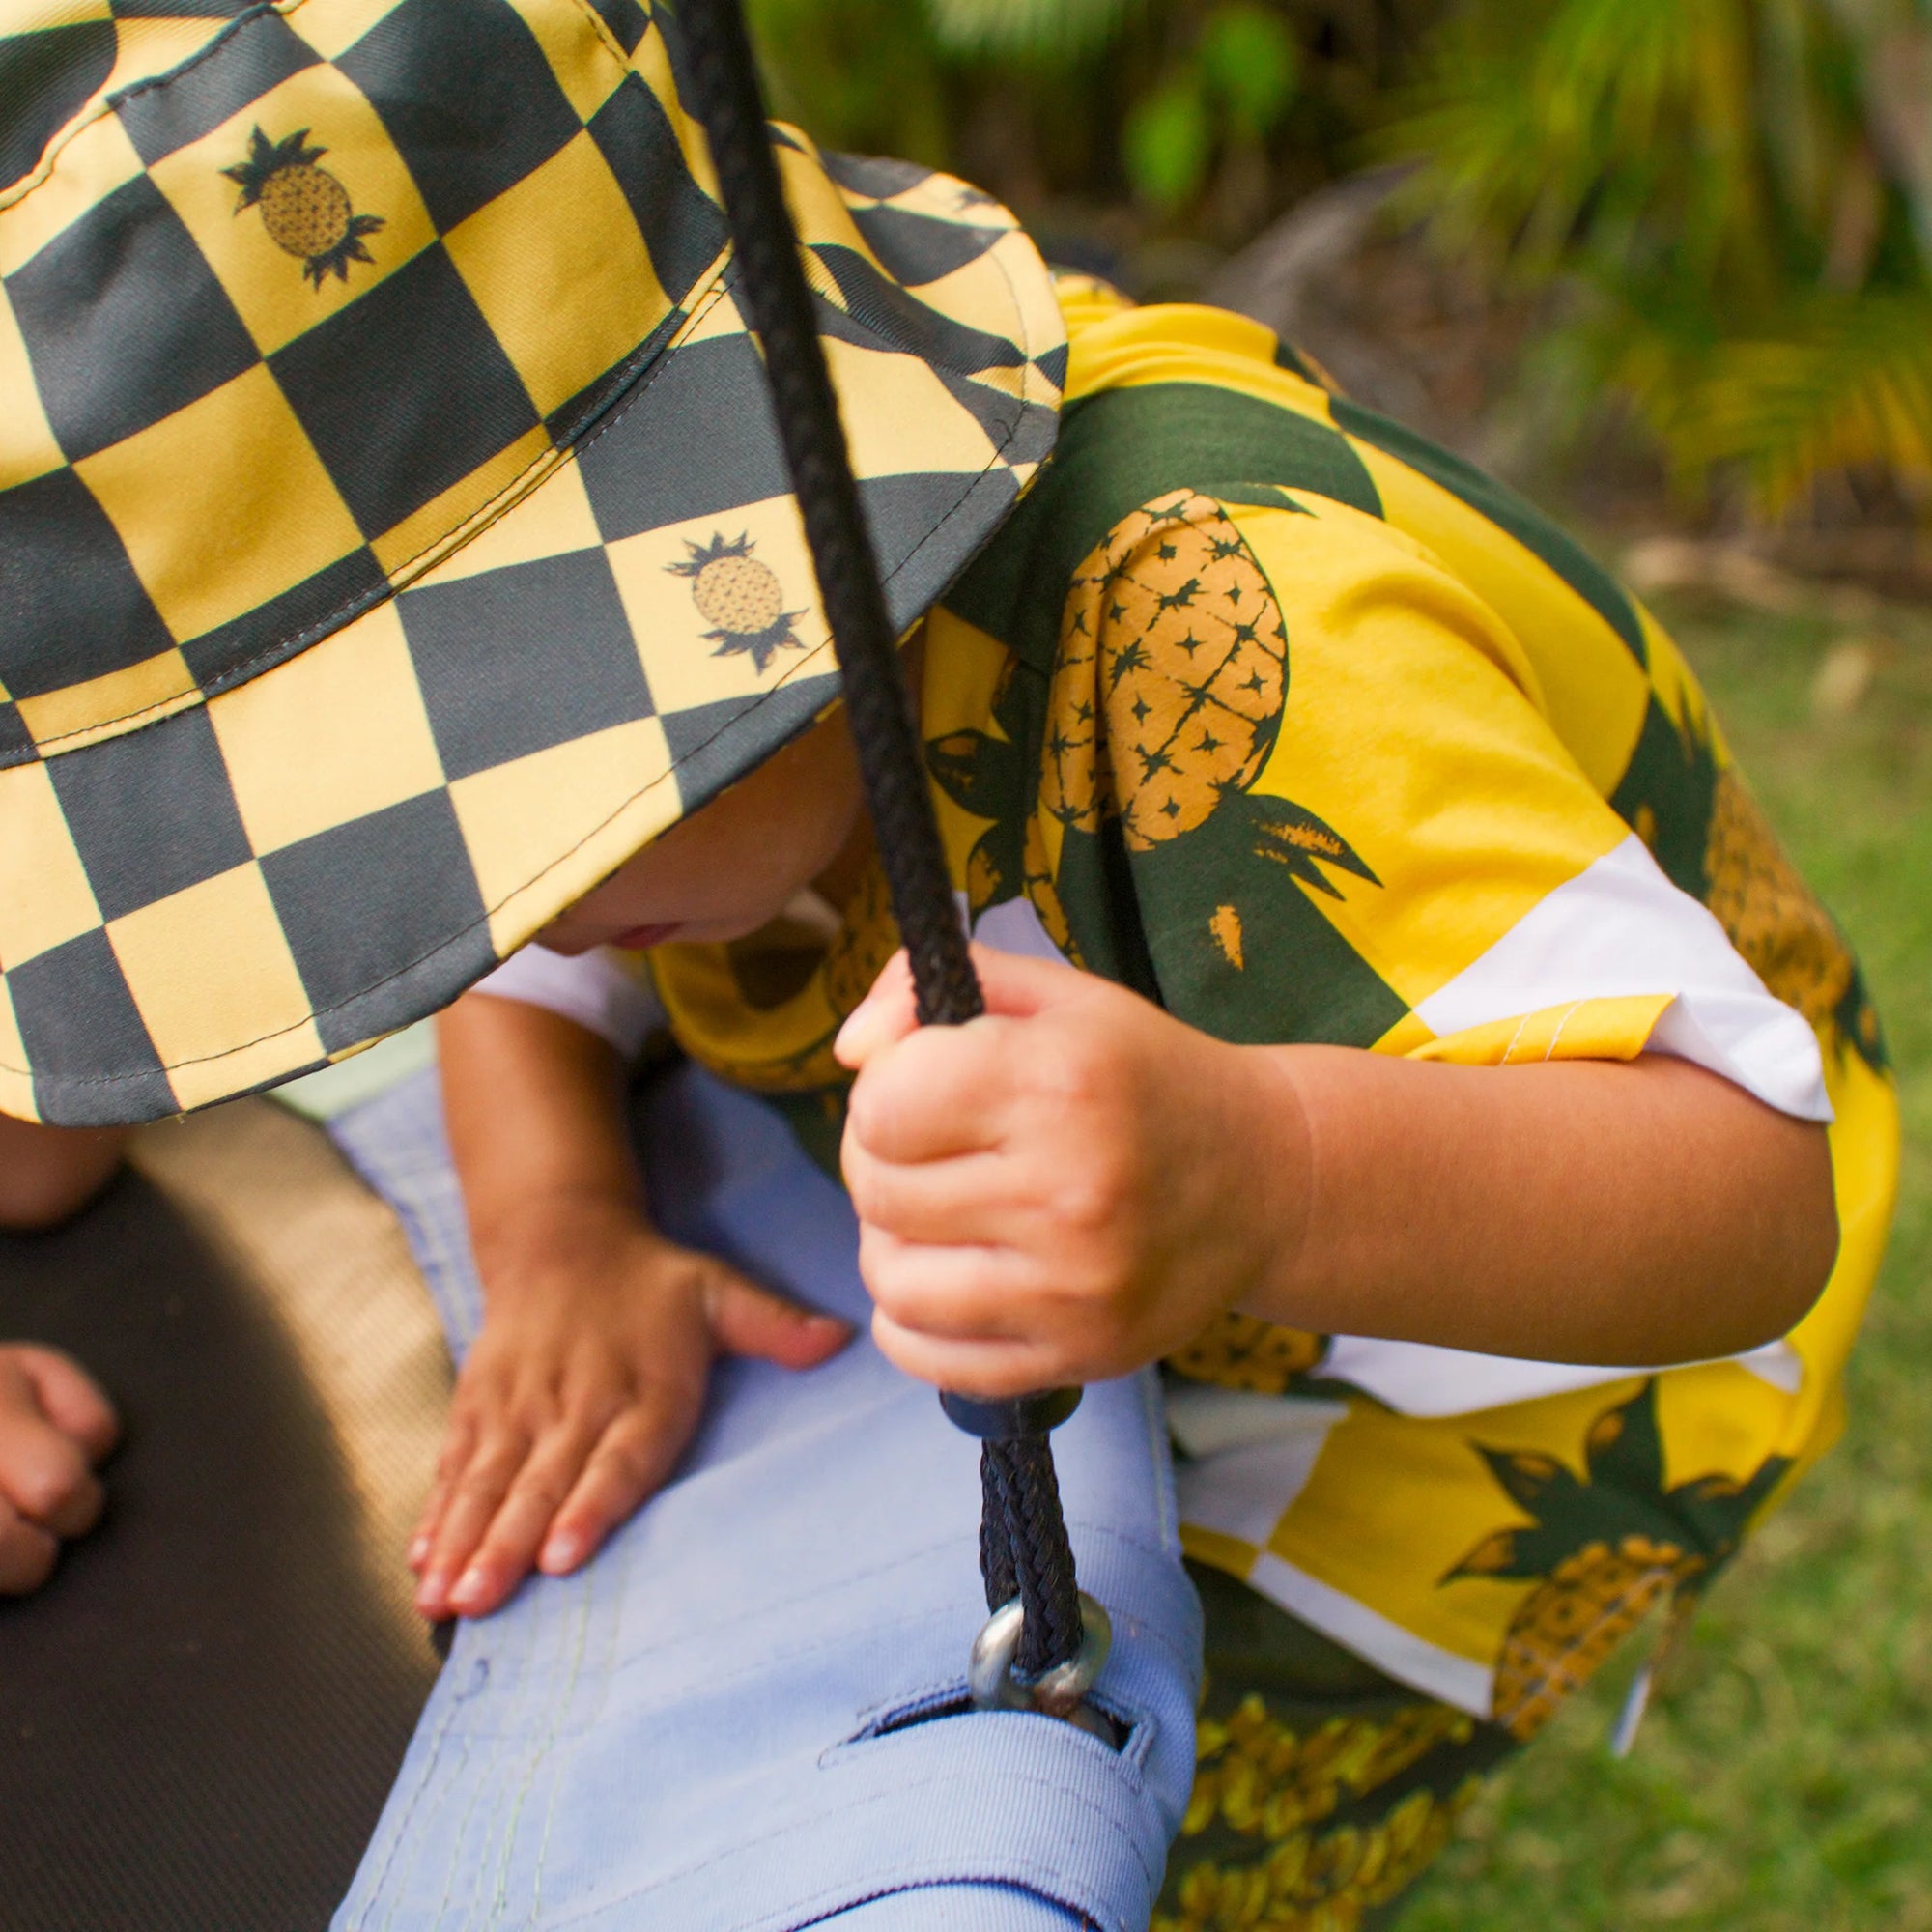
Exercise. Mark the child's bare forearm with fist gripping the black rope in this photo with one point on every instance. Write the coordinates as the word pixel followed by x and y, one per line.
pixel 1081 1183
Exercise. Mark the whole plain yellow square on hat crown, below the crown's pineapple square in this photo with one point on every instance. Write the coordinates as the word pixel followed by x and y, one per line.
pixel 223 505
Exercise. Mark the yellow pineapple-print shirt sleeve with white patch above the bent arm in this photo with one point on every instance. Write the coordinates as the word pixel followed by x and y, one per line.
pixel 1299 785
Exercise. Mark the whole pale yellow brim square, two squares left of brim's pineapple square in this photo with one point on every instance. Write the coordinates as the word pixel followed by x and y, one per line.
pixel 329 737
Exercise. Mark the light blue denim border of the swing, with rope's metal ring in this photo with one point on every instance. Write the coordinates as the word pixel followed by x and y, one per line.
pixel 716 1726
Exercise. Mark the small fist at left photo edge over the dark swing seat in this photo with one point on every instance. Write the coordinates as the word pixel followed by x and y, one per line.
pixel 55 1427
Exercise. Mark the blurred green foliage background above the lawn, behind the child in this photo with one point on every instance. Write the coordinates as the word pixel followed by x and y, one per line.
pixel 1697 229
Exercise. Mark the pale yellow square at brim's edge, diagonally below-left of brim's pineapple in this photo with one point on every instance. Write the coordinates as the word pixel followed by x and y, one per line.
pixel 596 801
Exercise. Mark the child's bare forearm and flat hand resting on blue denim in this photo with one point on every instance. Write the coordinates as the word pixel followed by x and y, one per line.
pixel 598 1338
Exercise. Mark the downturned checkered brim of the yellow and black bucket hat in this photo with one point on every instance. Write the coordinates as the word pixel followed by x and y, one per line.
pixel 271 880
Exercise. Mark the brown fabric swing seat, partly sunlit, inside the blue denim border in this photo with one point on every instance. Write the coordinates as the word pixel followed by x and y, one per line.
pixel 206 1709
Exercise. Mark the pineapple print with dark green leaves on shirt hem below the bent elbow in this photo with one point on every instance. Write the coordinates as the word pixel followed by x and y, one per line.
pixel 1601 1552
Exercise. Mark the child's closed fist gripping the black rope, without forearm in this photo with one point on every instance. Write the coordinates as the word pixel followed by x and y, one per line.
pixel 1065 1189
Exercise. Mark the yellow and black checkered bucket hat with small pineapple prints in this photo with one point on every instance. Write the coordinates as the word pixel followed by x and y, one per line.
pixel 393 526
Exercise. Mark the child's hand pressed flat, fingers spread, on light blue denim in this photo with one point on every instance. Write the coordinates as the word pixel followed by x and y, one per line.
pixel 582 1392
